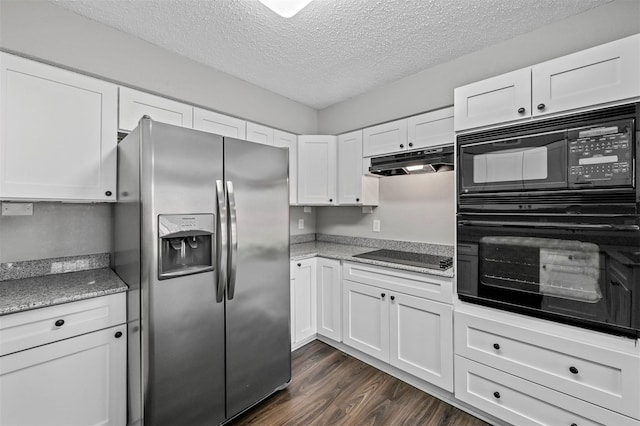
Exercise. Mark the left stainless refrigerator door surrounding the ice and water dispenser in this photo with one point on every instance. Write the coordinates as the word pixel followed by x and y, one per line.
pixel 182 324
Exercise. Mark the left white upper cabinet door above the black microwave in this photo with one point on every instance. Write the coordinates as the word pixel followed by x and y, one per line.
pixel 499 99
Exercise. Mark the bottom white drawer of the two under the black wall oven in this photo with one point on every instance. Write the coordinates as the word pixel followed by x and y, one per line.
pixel 521 402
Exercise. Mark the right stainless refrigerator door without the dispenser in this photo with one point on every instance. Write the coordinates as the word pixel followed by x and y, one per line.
pixel 257 322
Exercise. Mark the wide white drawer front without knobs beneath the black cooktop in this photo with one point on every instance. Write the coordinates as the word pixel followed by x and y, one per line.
pixel 413 283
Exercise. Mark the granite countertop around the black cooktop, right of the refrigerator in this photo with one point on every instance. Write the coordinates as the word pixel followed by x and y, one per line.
pixel 346 252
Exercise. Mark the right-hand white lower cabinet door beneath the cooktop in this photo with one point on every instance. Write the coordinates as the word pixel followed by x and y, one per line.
pixel 422 338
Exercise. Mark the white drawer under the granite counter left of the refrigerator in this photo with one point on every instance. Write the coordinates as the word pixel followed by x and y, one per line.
pixel 36 327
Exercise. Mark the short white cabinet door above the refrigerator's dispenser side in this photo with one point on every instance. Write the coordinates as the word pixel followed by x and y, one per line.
pixel 134 104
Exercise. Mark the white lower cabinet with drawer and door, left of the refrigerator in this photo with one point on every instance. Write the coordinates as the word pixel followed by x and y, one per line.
pixel 64 368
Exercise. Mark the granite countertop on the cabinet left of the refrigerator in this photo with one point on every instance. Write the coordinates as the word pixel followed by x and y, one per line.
pixel 37 292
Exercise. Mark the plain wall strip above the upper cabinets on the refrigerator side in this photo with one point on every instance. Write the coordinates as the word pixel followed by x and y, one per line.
pixel 39 29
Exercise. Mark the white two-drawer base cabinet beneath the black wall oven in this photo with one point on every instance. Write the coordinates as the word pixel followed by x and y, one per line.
pixel 530 371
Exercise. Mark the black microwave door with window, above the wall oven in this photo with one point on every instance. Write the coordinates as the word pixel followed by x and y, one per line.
pixel 518 164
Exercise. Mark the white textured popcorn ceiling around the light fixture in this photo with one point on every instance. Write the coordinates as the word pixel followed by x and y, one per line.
pixel 333 49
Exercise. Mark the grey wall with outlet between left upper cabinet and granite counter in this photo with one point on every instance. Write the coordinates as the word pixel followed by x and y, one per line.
pixel 56 230
